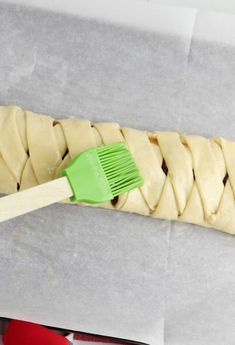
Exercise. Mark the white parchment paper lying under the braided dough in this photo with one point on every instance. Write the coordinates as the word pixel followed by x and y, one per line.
pixel 108 272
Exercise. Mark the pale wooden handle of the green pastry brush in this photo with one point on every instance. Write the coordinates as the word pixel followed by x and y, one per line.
pixel 31 199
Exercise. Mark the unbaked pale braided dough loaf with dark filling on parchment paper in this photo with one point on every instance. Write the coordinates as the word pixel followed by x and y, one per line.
pixel 187 178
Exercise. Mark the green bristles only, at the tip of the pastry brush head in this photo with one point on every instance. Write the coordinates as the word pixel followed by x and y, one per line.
pixel 119 168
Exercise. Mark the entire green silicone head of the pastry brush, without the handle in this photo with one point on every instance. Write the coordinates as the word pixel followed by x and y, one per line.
pixel 99 174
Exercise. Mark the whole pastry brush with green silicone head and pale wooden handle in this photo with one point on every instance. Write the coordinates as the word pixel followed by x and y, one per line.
pixel 94 176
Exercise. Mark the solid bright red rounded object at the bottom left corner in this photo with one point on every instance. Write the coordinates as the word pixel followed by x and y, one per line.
pixel 27 333
